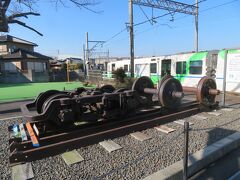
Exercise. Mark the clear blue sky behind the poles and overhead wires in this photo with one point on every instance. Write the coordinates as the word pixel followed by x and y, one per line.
pixel 64 28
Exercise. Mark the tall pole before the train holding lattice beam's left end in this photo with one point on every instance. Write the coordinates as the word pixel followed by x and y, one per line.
pixel 131 37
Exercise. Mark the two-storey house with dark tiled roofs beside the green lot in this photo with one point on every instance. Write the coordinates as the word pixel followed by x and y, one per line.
pixel 20 63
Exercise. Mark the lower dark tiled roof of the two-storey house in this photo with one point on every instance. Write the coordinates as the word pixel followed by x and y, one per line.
pixel 25 54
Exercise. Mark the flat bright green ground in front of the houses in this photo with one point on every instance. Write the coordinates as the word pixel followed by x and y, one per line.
pixel 23 91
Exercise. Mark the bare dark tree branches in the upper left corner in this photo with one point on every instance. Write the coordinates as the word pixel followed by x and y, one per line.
pixel 12 10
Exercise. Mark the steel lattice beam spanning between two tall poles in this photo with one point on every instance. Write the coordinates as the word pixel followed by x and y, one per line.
pixel 168 5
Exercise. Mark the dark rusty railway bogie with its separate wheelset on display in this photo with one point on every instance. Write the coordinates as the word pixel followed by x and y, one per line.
pixel 68 107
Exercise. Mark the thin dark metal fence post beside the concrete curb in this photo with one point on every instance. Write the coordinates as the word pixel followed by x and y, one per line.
pixel 185 151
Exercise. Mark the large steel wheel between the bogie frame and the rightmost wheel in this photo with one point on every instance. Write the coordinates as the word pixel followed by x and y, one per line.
pixel 166 91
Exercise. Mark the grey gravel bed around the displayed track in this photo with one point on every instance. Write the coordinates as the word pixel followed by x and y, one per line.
pixel 136 159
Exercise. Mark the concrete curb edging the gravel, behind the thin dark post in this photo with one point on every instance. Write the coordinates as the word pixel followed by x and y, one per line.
pixel 200 159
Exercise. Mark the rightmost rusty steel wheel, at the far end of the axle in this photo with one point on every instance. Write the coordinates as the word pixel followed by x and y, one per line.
pixel 203 87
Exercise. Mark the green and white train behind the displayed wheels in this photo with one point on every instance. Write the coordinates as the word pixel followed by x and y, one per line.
pixel 187 67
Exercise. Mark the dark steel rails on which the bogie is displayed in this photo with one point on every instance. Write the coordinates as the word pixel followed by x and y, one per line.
pixel 54 142
